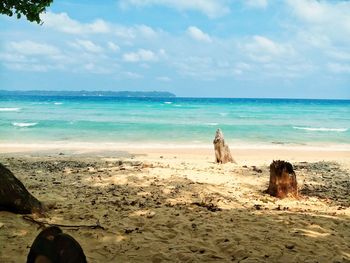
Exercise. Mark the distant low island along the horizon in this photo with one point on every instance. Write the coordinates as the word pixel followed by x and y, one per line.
pixel 136 94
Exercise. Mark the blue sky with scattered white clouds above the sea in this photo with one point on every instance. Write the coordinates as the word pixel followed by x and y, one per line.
pixel 197 48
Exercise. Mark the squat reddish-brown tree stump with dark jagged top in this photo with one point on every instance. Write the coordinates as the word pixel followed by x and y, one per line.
pixel 283 181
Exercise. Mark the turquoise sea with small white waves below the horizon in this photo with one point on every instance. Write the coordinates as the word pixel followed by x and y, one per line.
pixel 185 121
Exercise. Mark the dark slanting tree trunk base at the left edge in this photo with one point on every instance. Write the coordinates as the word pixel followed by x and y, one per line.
pixel 14 197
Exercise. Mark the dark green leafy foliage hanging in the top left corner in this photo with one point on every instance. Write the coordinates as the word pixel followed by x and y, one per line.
pixel 29 8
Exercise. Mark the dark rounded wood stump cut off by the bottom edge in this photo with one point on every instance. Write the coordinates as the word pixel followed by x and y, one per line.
pixel 53 246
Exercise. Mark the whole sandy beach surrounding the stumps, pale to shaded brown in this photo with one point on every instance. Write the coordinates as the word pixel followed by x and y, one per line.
pixel 177 205
